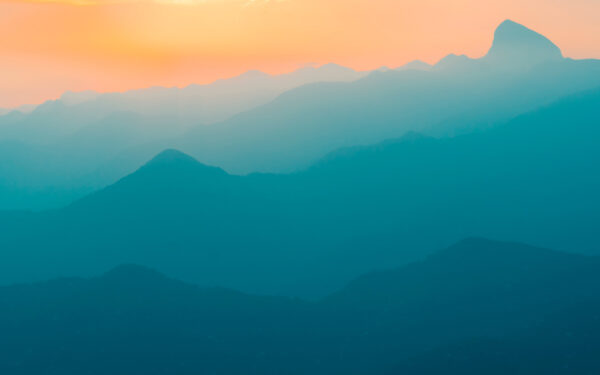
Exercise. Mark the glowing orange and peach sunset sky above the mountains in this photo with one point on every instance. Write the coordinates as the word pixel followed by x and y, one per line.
pixel 51 46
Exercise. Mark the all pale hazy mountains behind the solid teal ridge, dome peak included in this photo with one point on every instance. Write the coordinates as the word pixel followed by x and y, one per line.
pixel 74 148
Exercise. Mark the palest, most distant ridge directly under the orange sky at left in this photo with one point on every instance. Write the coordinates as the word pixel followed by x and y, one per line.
pixel 191 105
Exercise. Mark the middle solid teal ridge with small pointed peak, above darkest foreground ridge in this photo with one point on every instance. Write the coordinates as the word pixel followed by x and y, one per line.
pixel 533 180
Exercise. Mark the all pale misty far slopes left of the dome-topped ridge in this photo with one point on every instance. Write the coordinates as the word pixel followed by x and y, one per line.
pixel 72 142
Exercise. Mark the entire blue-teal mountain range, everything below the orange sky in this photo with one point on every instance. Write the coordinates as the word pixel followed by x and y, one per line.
pixel 300 218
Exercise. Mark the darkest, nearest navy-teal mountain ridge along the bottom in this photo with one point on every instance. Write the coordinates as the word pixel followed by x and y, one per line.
pixel 477 307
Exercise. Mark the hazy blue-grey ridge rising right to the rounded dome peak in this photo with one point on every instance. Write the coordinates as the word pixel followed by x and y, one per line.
pixel 522 71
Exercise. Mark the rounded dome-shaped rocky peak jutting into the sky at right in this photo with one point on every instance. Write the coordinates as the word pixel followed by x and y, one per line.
pixel 516 46
